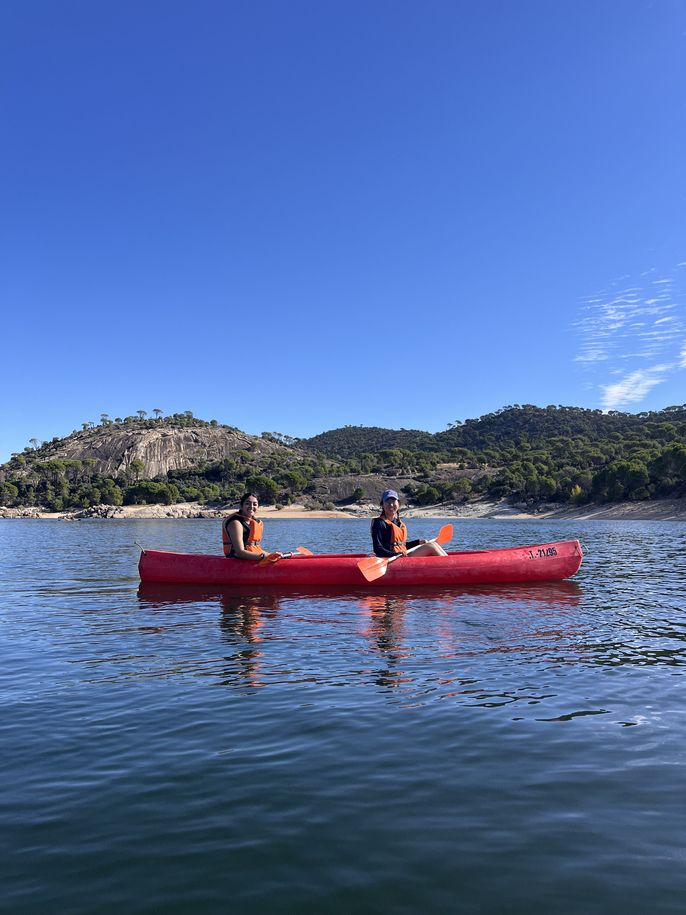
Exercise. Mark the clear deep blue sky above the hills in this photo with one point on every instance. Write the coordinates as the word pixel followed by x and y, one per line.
pixel 289 216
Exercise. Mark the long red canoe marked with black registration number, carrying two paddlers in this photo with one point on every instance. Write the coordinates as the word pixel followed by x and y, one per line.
pixel 540 562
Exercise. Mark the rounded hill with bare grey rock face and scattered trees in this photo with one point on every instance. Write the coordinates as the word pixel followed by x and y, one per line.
pixel 174 459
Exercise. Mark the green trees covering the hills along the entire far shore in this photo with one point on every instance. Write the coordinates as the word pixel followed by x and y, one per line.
pixel 524 453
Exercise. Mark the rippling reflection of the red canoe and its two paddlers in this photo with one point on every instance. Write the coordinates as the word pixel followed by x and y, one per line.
pixel 387 631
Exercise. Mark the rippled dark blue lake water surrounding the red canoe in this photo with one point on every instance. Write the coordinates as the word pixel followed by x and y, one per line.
pixel 511 749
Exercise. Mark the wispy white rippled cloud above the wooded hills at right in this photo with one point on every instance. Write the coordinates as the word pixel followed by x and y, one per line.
pixel 632 336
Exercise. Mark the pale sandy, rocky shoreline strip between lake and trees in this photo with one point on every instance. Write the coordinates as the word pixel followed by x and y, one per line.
pixel 657 510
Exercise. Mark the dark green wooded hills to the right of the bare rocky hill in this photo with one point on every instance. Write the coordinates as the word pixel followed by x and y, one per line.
pixel 558 454
